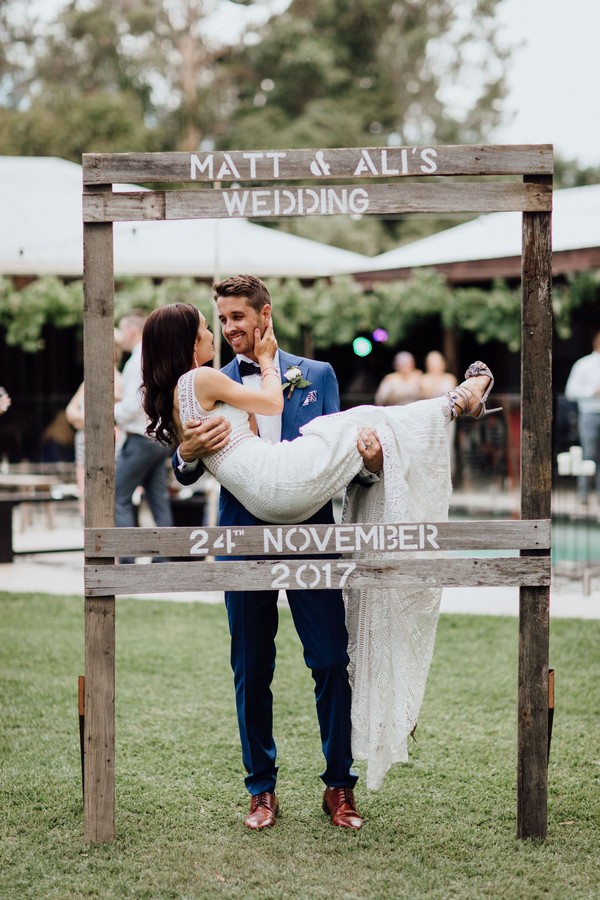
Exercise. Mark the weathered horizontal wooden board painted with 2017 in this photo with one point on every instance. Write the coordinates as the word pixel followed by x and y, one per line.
pixel 322 574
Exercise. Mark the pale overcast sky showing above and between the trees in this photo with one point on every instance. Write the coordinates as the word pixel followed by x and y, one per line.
pixel 554 77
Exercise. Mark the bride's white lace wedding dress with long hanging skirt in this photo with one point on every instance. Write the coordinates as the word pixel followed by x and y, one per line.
pixel 391 631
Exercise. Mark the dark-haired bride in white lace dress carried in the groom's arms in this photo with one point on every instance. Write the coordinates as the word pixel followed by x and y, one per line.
pixel 390 640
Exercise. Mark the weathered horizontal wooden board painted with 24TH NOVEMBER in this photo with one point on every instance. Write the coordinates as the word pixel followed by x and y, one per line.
pixel 299 540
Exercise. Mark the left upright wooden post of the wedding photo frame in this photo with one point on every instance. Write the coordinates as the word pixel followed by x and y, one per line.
pixel 99 733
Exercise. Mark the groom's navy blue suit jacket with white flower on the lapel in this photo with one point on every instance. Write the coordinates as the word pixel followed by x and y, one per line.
pixel 320 398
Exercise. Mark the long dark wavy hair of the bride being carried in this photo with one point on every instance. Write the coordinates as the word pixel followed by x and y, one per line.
pixel 167 352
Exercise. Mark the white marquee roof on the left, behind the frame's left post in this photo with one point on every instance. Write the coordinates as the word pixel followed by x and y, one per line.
pixel 41 233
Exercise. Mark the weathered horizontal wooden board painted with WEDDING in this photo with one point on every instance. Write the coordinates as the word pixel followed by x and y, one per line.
pixel 282 202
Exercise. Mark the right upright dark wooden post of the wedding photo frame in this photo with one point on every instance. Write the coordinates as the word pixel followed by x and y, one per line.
pixel 536 483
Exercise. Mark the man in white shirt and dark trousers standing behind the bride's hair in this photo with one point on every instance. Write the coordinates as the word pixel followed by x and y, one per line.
pixel 141 460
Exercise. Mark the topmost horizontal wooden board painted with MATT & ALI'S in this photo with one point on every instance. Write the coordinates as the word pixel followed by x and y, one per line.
pixel 291 165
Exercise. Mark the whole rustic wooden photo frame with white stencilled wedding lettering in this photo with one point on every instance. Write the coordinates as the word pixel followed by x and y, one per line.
pixel 318 182
